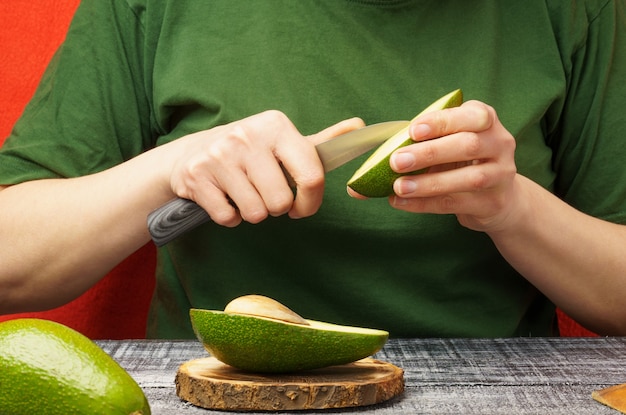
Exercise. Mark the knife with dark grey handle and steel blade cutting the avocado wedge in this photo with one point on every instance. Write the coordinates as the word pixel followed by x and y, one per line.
pixel 180 215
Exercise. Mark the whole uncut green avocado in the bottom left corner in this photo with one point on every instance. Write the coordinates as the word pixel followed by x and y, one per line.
pixel 48 368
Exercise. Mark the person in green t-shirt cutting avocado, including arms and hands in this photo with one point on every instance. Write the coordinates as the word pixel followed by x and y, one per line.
pixel 522 207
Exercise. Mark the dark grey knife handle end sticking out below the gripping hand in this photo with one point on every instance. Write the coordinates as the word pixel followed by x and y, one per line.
pixel 175 218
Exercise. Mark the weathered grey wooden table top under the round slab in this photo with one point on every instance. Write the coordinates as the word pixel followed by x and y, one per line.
pixel 443 376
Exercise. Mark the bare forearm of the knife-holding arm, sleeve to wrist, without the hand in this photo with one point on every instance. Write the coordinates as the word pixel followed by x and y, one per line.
pixel 59 237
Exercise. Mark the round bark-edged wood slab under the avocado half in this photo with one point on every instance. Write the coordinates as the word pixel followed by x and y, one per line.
pixel 211 384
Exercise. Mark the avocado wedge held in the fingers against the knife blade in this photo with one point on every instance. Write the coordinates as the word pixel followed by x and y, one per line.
pixel 375 177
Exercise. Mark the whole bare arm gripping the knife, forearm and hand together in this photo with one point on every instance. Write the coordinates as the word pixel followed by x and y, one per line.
pixel 60 236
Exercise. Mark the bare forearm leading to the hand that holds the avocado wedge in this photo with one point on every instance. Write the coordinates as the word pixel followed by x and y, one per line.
pixel 575 259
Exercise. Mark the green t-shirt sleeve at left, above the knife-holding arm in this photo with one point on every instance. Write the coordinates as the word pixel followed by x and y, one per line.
pixel 90 111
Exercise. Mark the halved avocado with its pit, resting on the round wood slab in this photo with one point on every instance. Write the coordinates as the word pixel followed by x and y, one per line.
pixel 258 334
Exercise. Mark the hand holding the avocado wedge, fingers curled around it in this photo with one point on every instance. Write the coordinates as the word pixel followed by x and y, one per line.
pixel 471 167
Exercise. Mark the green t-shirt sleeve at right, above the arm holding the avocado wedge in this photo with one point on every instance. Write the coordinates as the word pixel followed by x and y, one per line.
pixel 590 141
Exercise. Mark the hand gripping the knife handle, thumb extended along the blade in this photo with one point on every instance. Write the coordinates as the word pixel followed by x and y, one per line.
pixel 235 171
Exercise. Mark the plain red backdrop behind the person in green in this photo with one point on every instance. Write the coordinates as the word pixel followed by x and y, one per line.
pixel 116 307
